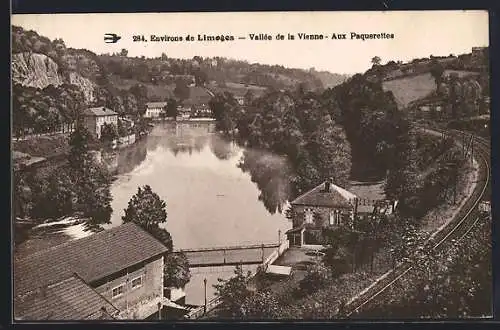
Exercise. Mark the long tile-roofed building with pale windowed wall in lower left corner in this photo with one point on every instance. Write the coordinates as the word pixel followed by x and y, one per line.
pixel 113 274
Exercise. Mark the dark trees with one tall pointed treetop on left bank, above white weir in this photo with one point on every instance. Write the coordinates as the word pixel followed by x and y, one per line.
pixel 81 186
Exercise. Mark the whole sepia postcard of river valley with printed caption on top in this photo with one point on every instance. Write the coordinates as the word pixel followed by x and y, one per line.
pixel 251 166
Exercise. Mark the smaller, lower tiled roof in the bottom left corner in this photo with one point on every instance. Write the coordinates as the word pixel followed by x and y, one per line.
pixel 70 299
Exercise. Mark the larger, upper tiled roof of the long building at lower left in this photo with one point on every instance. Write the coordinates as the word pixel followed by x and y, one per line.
pixel 92 257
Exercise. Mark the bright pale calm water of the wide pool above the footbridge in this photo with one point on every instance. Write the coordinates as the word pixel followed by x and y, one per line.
pixel 210 200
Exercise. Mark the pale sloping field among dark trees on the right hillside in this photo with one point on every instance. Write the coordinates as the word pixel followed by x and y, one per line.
pixel 409 89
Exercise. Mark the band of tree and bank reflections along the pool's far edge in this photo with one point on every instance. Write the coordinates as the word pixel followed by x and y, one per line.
pixel 269 172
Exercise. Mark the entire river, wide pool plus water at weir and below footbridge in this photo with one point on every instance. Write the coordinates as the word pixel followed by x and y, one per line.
pixel 217 193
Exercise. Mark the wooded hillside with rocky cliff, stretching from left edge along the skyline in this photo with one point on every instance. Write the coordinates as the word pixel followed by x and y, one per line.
pixel 53 83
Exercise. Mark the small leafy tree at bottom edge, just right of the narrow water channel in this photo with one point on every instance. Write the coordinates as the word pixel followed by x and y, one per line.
pixel 233 293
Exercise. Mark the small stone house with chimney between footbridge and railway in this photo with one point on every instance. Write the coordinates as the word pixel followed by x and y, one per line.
pixel 330 206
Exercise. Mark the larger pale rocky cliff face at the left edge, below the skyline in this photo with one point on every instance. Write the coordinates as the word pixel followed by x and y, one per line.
pixel 35 70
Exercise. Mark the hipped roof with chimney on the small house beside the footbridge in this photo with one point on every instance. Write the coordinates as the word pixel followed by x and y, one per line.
pixel 336 197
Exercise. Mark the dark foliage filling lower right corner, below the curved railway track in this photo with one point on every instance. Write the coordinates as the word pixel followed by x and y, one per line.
pixel 453 282
